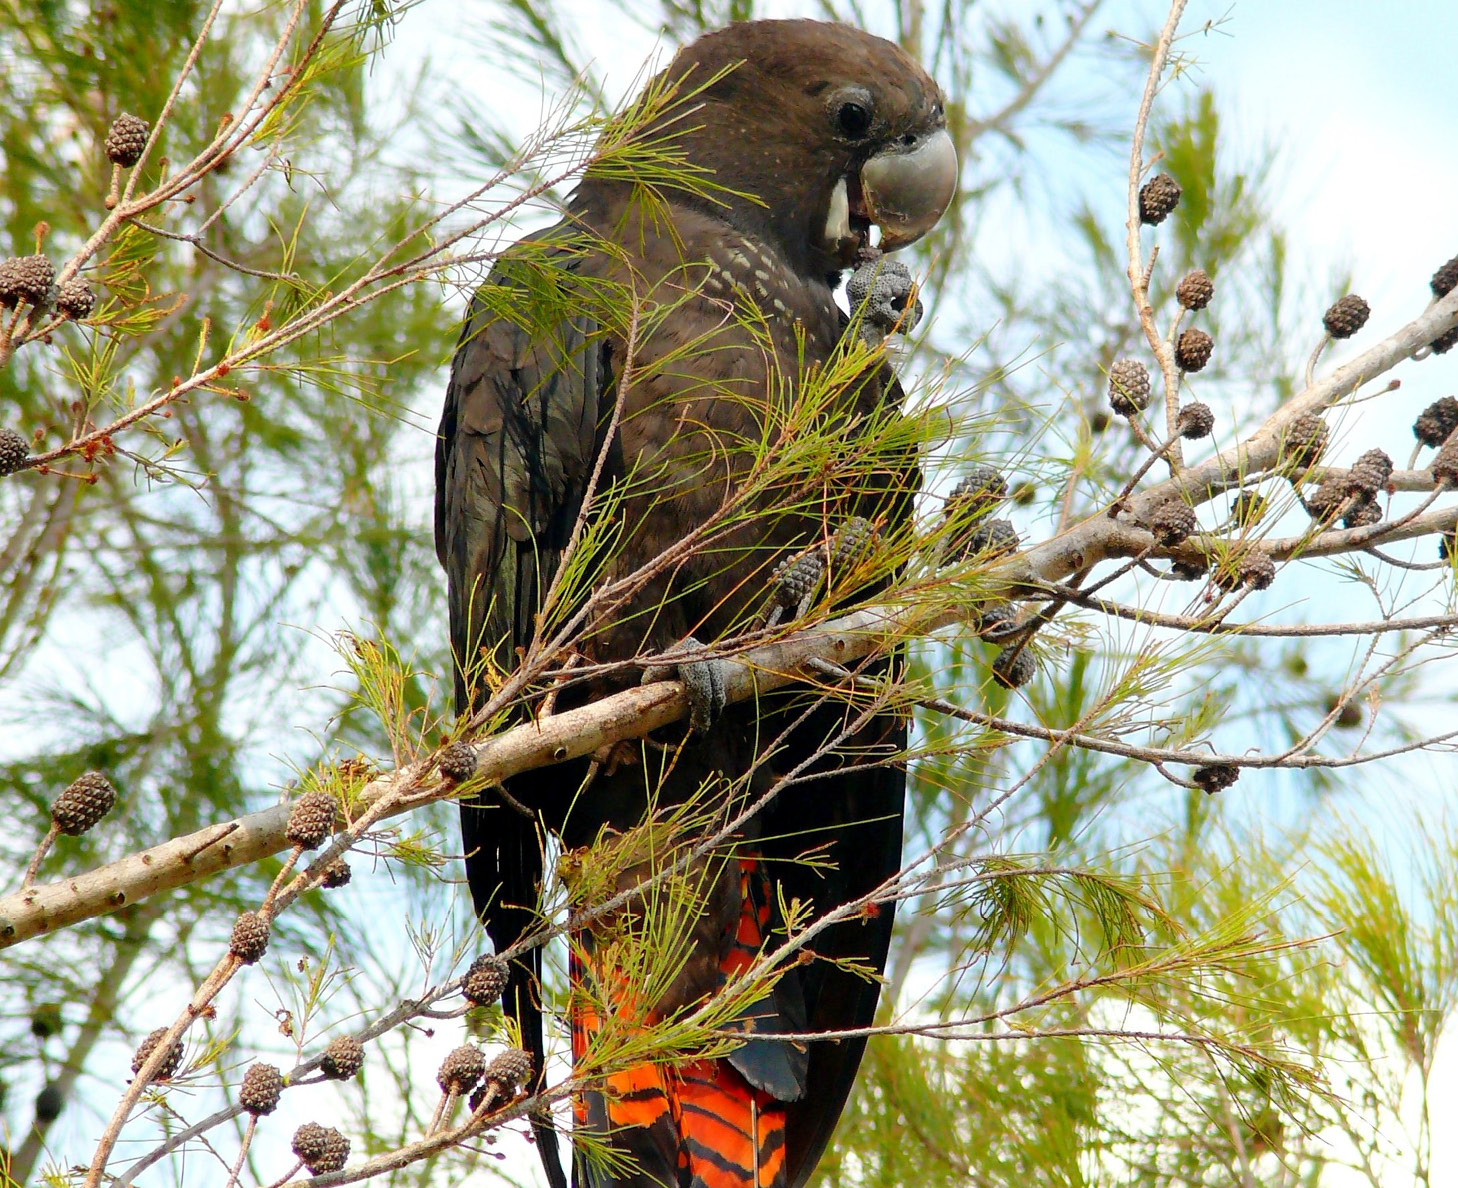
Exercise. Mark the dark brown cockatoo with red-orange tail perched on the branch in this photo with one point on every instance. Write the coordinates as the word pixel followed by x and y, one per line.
pixel 791 139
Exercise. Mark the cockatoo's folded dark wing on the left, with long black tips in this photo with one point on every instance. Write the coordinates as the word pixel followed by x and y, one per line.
pixel 517 448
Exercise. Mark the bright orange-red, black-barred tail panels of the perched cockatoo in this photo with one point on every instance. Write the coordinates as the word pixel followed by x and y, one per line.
pixel 690 1125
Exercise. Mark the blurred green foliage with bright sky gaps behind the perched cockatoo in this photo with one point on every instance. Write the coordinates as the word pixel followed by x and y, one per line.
pixel 170 623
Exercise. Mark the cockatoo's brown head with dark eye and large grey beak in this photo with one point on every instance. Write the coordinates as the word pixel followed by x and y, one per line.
pixel 820 132
